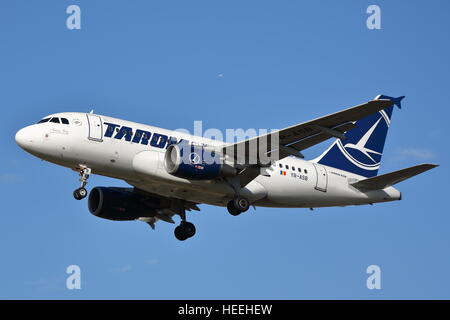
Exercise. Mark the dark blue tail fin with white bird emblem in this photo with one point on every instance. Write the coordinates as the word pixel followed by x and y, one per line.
pixel 361 150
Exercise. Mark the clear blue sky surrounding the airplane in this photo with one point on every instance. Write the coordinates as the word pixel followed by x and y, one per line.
pixel 283 62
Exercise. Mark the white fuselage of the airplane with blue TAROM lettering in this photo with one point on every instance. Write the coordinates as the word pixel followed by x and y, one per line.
pixel 85 142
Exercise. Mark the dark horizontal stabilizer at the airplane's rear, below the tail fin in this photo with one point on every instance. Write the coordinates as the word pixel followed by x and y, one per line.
pixel 389 179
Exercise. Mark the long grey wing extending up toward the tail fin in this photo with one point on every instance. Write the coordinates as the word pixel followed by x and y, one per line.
pixel 291 140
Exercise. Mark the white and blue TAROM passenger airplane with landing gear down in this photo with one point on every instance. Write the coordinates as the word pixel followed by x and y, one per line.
pixel 172 172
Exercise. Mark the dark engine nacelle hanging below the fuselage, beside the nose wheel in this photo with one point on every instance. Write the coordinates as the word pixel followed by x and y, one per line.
pixel 117 204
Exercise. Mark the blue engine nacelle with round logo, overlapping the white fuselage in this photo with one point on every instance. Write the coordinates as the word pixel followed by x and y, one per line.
pixel 195 163
